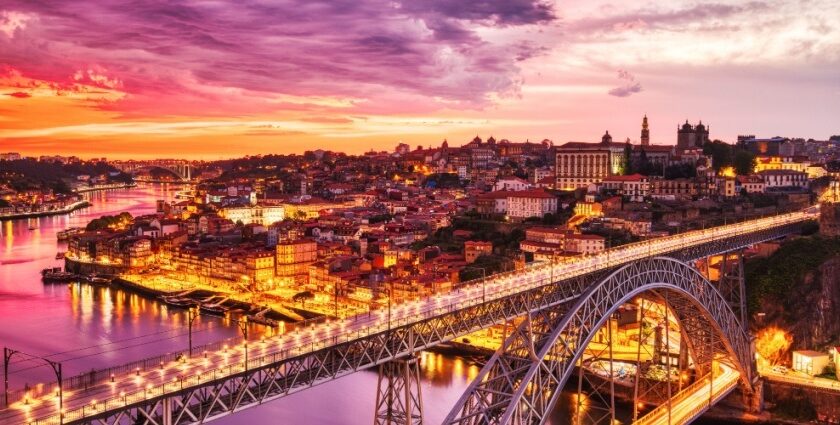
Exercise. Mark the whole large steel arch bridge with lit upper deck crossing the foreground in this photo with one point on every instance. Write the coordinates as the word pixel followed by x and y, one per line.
pixel 562 305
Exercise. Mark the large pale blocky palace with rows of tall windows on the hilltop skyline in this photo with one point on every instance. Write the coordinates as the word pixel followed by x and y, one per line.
pixel 579 164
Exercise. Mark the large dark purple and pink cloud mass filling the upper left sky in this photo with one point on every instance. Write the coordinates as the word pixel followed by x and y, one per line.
pixel 202 52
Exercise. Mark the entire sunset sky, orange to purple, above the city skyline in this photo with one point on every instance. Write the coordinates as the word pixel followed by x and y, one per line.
pixel 211 79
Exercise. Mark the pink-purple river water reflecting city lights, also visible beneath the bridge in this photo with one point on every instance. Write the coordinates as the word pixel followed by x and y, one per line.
pixel 88 327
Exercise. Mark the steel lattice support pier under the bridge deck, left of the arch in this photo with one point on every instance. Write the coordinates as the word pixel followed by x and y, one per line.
pixel 398 399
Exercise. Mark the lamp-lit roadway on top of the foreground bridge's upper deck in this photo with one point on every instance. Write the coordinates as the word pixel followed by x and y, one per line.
pixel 174 376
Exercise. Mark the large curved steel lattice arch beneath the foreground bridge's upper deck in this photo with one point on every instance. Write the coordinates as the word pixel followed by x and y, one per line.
pixel 522 381
